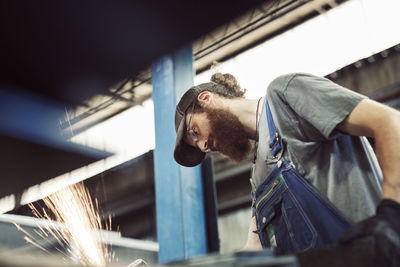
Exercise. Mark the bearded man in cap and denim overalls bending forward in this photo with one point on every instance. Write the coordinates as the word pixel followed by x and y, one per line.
pixel 315 178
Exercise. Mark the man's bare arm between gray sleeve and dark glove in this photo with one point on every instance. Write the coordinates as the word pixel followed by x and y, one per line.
pixel 370 118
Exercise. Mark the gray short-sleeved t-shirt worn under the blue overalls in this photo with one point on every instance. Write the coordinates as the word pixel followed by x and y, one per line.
pixel 306 110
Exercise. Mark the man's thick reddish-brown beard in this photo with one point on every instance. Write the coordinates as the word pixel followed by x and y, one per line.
pixel 228 133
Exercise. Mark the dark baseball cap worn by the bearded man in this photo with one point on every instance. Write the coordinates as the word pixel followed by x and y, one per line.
pixel 184 153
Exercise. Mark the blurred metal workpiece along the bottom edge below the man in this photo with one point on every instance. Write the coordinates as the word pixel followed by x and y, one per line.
pixel 361 252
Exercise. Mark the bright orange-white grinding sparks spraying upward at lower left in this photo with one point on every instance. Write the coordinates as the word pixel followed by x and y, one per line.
pixel 80 234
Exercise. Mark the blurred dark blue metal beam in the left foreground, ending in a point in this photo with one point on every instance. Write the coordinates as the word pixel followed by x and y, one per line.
pixel 34 148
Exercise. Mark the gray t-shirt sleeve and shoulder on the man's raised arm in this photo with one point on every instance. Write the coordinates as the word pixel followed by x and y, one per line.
pixel 318 103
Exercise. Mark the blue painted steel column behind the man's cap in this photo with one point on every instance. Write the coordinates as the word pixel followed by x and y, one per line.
pixel 179 194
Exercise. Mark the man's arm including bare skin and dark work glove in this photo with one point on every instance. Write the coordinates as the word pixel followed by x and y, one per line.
pixel 373 119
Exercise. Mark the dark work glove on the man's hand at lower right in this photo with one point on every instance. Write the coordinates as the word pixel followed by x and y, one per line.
pixel 384 227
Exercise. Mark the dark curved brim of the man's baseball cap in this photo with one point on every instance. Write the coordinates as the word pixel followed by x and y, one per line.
pixel 184 153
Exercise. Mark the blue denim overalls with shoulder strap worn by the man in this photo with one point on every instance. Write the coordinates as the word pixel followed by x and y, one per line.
pixel 291 215
